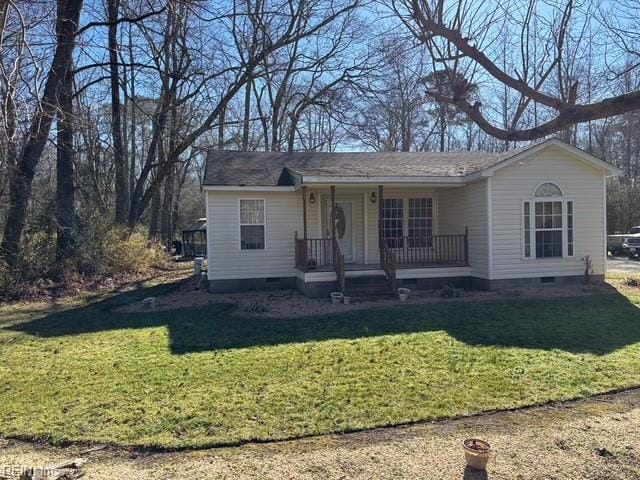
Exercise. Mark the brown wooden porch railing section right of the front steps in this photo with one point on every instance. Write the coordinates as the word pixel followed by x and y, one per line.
pixel 432 250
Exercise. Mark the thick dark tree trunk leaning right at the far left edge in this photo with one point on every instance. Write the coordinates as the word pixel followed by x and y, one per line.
pixel 68 17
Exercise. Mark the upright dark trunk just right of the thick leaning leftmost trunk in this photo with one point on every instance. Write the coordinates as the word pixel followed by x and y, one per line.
pixel 65 190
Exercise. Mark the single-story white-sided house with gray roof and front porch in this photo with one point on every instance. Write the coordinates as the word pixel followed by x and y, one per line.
pixel 324 222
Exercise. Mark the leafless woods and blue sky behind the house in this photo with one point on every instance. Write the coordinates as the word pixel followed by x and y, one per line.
pixel 108 106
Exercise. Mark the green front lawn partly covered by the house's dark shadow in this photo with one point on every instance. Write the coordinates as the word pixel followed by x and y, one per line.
pixel 201 377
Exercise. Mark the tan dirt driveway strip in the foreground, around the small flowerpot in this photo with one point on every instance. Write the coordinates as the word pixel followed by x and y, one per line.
pixel 590 439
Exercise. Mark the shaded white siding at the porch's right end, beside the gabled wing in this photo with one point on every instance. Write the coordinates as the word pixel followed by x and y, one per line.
pixel 467 207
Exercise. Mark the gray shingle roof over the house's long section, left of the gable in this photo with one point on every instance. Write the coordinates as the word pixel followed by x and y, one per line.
pixel 225 167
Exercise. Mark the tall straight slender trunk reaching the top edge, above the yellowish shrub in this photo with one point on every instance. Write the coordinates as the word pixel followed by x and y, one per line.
pixel 121 186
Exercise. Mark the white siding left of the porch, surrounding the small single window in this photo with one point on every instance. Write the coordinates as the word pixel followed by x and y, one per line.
pixel 283 215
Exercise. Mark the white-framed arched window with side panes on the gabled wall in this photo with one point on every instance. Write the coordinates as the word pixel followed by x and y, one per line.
pixel 548 227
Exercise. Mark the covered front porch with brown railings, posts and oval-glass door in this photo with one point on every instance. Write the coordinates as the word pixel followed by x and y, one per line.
pixel 406 244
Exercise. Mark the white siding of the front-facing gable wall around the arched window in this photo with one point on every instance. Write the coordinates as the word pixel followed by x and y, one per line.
pixel 579 182
